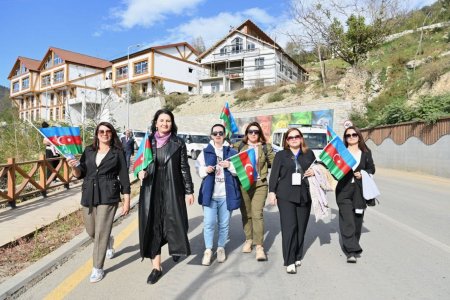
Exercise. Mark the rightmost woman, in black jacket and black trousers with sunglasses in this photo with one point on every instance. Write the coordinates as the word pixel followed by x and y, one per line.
pixel 349 195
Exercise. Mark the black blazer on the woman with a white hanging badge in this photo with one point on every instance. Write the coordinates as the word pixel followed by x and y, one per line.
pixel 281 176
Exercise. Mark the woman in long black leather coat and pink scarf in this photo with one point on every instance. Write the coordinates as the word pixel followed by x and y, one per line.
pixel 166 186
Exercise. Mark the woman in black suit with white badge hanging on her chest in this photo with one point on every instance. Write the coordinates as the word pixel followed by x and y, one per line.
pixel 289 188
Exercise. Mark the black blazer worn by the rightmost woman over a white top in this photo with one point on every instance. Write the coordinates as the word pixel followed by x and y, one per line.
pixel 345 189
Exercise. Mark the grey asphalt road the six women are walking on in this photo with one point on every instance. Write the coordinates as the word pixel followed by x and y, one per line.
pixel 406 256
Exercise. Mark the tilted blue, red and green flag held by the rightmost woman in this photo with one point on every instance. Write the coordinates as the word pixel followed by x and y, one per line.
pixel 337 158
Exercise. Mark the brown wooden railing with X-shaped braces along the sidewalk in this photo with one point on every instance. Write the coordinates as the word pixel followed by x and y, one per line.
pixel 22 179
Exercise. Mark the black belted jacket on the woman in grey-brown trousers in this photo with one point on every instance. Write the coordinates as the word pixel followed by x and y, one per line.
pixel 103 184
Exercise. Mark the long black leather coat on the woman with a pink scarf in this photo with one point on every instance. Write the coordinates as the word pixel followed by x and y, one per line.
pixel 178 183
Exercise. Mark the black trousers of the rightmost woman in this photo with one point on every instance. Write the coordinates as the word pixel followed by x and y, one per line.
pixel 350 225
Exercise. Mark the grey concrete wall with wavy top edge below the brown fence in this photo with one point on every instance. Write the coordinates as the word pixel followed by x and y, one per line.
pixel 414 156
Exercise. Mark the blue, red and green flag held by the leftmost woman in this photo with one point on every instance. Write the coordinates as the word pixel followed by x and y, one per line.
pixel 67 140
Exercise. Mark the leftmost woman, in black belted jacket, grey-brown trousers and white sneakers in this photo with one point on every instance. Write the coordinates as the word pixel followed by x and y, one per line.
pixel 105 173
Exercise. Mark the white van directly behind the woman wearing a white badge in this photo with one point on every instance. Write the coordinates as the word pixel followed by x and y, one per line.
pixel 314 135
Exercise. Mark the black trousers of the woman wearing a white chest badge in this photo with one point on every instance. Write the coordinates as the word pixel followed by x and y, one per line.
pixel 294 220
